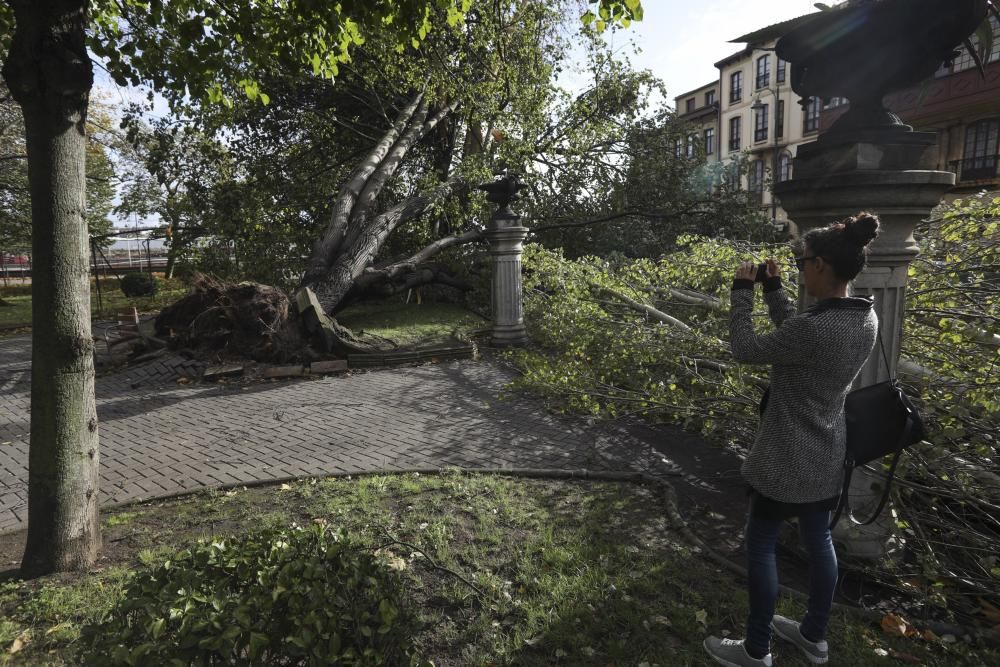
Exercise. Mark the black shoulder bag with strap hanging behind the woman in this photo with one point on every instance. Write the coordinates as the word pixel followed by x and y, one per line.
pixel 881 420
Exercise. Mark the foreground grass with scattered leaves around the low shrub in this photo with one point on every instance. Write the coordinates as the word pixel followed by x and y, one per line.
pixel 571 573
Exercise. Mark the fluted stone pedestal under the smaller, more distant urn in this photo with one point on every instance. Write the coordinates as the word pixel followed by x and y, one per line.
pixel 506 238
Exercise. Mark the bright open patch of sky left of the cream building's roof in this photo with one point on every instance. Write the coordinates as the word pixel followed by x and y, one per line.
pixel 681 40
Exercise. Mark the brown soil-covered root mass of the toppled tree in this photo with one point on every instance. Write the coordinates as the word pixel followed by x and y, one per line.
pixel 246 320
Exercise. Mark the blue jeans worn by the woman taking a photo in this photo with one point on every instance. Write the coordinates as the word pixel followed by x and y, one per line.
pixel 762 568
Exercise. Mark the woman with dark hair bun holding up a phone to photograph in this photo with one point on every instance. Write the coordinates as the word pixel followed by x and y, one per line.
pixel 795 465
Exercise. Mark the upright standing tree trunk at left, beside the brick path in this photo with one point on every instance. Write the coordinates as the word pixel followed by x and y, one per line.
pixel 49 74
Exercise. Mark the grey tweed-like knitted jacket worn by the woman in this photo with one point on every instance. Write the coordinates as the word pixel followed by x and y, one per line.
pixel 798 454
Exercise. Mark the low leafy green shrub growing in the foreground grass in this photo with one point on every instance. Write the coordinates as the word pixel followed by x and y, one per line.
pixel 289 597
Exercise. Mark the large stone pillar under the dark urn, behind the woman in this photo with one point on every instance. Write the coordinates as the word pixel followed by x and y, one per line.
pixel 889 173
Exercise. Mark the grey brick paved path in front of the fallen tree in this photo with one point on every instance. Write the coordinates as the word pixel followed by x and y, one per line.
pixel 159 438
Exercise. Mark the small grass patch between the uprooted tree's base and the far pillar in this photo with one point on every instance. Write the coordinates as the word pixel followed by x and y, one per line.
pixel 410 324
